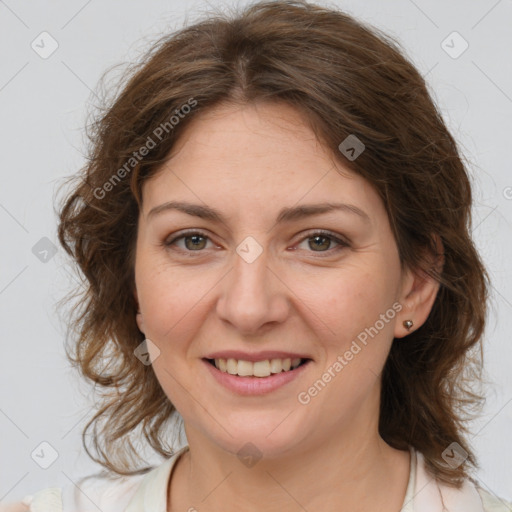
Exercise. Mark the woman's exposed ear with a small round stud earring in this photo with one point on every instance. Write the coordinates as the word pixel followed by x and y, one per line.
pixel 418 292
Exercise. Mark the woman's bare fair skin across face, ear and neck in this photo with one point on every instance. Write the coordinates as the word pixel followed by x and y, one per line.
pixel 249 162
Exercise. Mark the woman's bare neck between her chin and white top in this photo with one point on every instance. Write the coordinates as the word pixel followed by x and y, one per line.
pixel 342 476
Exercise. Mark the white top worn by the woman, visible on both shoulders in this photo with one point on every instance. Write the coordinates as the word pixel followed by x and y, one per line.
pixel 148 493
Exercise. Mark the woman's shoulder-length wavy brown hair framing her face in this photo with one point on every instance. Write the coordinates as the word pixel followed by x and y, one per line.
pixel 345 78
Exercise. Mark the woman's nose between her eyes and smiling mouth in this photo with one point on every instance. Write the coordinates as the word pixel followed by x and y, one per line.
pixel 253 296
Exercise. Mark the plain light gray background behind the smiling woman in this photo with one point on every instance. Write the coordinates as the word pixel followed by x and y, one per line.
pixel 43 105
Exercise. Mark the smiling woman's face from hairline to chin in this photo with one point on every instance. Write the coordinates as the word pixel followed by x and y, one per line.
pixel 262 280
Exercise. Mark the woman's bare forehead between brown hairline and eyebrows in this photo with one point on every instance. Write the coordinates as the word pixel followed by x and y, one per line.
pixel 261 156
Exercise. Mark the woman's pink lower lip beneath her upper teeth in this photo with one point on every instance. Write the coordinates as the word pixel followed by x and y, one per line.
pixel 254 385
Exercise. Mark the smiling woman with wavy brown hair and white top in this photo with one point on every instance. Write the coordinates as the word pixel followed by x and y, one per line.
pixel 273 225
